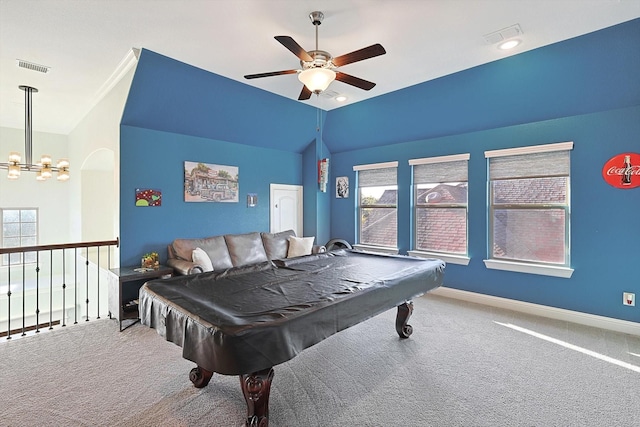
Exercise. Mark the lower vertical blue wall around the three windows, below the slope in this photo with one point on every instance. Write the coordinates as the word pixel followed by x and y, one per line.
pixel 605 229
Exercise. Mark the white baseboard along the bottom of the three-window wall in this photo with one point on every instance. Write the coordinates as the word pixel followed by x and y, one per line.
pixel 602 322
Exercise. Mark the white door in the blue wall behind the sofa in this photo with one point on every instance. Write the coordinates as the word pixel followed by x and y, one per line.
pixel 286 208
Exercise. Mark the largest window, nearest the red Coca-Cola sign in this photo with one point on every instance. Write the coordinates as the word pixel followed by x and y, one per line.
pixel 529 213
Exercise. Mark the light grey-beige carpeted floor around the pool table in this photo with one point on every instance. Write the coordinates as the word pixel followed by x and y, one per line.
pixel 459 368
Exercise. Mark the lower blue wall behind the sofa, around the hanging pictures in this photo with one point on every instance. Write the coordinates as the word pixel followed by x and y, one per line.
pixel 155 159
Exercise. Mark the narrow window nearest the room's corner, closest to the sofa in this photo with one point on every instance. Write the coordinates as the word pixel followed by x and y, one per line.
pixel 377 204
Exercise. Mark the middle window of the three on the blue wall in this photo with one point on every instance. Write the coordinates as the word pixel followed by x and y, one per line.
pixel 440 207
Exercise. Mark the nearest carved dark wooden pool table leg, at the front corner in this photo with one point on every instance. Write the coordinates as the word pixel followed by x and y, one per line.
pixel 256 388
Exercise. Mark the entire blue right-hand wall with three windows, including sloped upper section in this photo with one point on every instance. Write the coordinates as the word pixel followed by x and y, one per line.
pixel 585 90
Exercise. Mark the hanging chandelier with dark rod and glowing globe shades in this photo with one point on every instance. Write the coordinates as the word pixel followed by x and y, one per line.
pixel 44 169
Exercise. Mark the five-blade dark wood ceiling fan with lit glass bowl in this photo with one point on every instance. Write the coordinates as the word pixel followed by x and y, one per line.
pixel 318 67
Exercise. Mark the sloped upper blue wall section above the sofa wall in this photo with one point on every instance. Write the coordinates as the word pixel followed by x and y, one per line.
pixel 175 97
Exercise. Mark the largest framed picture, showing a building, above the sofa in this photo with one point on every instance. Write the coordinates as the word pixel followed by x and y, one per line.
pixel 205 182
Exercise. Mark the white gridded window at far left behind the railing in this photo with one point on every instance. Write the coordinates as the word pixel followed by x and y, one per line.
pixel 19 228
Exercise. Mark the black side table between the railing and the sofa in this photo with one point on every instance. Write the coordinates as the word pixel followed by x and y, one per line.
pixel 124 285
